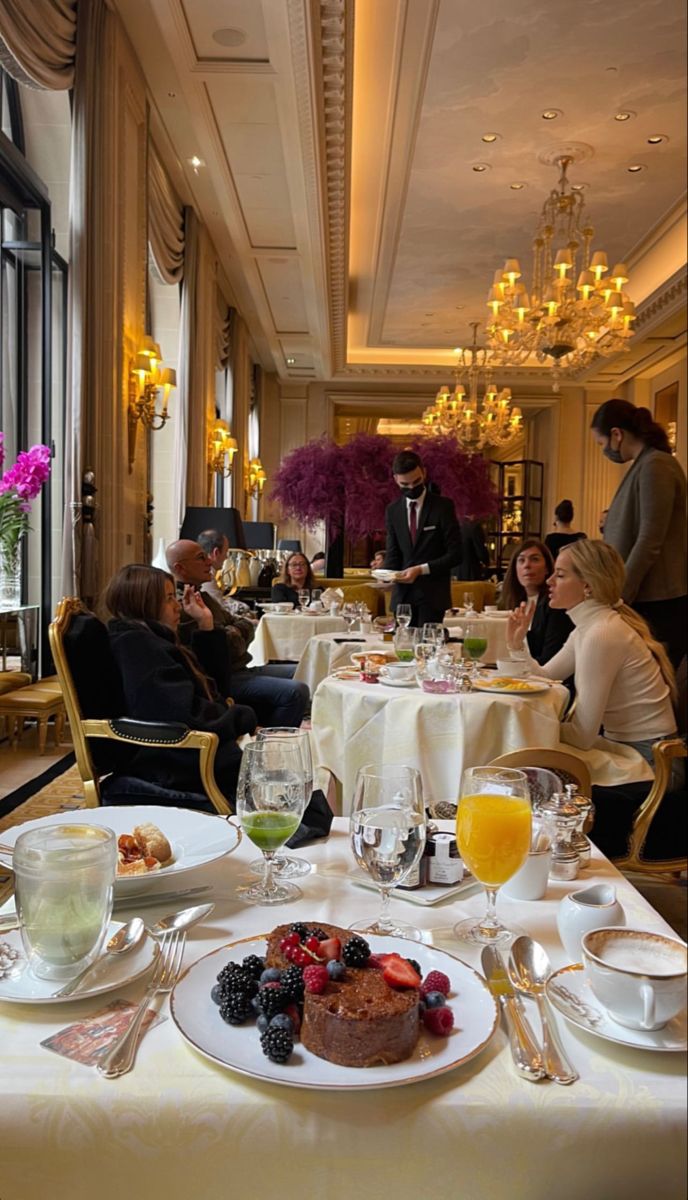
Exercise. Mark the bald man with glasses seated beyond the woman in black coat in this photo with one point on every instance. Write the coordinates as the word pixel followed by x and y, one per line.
pixel 271 692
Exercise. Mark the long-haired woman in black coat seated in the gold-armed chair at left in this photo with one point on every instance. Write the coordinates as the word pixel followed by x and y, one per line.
pixel 166 682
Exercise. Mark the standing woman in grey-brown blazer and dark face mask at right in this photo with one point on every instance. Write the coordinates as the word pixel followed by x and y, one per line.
pixel 647 520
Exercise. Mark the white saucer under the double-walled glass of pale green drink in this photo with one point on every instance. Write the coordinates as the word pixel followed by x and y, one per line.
pixel 20 987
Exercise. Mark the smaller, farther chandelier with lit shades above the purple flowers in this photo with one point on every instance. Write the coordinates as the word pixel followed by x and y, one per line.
pixel 475 423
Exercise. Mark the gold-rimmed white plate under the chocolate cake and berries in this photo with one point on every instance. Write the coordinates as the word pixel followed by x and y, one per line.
pixel 199 1021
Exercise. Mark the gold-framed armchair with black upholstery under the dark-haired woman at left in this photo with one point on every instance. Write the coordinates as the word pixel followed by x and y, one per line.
pixel 94 701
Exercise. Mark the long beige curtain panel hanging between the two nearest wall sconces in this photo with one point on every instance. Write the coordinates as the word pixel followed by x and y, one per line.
pixel 198 353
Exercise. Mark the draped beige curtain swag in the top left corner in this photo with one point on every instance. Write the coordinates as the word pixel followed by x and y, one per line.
pixel 39 40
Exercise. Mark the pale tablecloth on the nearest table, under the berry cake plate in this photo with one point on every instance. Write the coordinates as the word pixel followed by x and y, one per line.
pixel 182 1129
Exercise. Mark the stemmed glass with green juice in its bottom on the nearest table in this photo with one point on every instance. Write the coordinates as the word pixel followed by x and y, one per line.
pixel 271 802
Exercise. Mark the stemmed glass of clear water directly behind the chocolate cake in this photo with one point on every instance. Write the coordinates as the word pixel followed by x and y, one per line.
pixel 388 836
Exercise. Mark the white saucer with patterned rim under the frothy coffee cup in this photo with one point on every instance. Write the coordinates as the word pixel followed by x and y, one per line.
pixel 572 995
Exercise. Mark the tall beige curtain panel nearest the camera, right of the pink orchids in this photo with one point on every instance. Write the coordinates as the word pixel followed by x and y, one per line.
pixel 93 284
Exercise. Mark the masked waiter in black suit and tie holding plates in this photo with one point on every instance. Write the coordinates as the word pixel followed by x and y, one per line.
pixel 423 543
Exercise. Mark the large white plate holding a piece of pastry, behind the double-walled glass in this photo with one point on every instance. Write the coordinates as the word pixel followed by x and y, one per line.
pixel 196 838
